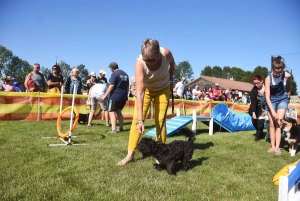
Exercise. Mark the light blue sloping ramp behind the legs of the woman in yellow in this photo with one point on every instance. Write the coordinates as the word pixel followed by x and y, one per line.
pixel 173 125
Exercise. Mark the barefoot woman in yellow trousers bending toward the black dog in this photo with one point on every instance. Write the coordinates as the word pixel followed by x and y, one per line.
pixel 154 70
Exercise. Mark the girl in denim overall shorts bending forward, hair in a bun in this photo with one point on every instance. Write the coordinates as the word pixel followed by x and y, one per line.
pixel 278 90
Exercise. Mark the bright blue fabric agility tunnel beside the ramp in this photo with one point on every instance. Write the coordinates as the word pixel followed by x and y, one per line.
pixel 231 121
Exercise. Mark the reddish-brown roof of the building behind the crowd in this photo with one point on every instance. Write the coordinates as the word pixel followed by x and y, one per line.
pixel 223 83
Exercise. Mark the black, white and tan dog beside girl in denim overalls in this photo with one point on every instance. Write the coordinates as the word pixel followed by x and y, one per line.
pixel 292 131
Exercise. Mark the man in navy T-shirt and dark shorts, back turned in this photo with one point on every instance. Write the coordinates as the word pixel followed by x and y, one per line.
pixel 118 91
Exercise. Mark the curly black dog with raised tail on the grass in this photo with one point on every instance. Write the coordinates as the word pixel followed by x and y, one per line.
pixel 167 155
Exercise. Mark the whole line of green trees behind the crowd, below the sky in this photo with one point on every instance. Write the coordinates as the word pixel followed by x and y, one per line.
pixel 18 68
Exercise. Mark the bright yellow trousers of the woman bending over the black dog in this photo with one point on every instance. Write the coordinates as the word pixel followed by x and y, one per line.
pixel 161 100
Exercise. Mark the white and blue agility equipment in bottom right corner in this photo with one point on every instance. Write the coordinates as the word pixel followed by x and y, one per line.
pixel 289 186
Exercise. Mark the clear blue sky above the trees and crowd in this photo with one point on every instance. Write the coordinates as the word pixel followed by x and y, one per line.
pixel 235 33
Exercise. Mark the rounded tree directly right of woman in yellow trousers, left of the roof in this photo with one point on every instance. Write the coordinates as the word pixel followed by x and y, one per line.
pixel 183 69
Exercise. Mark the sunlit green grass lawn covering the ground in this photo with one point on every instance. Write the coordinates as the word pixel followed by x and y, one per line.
pixel 226 166
